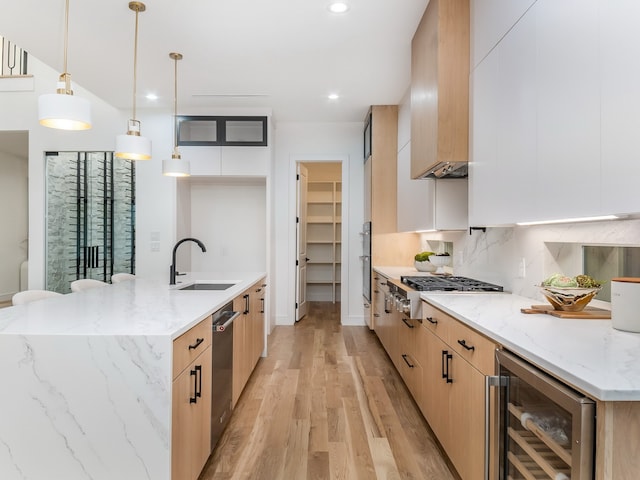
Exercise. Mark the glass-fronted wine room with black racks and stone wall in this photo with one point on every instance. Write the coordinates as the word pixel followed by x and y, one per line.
pixel 90 211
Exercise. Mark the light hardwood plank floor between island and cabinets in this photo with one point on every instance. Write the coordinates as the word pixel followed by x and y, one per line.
pixel 326 403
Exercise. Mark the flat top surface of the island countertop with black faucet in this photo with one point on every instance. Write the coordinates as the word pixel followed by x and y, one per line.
pixel 136 307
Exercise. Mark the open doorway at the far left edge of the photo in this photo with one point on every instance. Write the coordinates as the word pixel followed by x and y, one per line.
pixel 14 211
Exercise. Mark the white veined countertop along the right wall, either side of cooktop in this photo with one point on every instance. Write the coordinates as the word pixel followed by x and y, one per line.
pixel 590 355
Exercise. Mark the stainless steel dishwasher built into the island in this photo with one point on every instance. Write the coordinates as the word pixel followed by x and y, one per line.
pixel 221 371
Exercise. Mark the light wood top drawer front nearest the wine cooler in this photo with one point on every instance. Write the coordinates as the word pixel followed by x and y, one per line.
pixel 473 347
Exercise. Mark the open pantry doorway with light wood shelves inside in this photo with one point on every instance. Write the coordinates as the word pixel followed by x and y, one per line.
pixel 318 234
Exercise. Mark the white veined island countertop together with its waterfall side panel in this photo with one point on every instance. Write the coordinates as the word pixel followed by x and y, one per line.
pixel 87 378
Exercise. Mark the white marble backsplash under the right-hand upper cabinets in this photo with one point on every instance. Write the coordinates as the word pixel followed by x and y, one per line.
pixel 519 257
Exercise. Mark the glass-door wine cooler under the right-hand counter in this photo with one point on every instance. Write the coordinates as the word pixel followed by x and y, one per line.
pixel 547 428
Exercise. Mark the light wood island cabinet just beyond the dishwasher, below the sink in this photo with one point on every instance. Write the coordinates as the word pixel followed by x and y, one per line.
pixel 248 336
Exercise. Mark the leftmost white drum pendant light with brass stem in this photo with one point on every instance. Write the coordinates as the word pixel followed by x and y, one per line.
pixel 62 109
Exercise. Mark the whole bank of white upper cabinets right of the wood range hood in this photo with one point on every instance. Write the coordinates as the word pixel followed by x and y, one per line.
pixel 554 114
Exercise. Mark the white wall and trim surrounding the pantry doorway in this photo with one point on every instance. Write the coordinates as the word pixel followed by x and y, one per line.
pixel 308 142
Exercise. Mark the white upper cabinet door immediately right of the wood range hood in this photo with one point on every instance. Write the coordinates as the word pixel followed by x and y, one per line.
pixel 502 172
